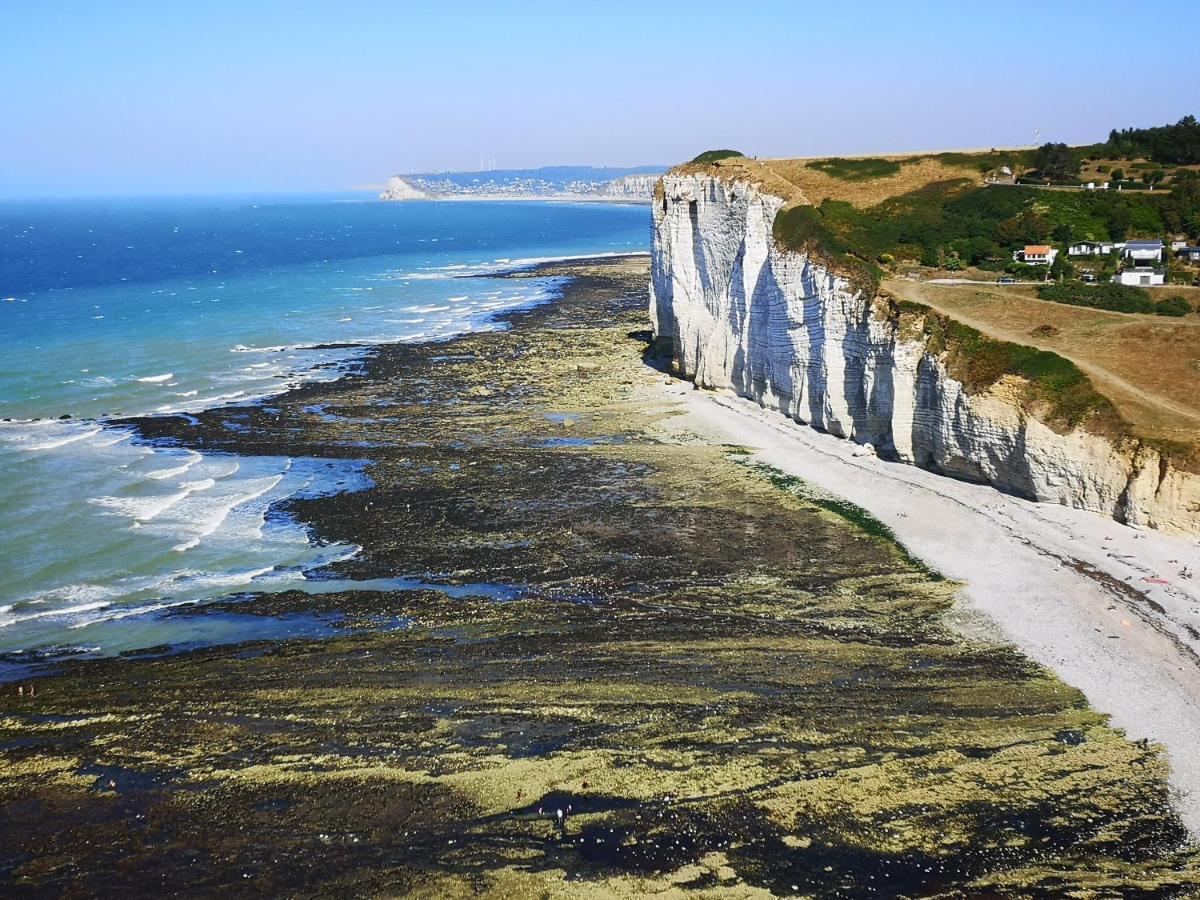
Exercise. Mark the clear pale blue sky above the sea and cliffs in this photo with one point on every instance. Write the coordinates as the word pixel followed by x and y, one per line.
pixel 118 97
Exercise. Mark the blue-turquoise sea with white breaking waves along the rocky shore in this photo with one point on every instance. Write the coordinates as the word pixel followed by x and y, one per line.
pixel 122 308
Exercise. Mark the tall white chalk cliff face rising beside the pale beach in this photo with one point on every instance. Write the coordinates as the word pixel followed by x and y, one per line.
pixel 779 327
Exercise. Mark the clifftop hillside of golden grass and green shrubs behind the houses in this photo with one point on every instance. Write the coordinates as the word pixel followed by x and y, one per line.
pixel 949 211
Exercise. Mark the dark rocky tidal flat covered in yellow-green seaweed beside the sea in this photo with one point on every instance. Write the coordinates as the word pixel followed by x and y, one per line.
pixel 730 687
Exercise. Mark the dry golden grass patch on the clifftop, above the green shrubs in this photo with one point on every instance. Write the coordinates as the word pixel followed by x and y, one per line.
pixel 794 181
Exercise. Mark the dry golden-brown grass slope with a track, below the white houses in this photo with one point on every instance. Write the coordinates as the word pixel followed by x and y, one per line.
pixel 1148 365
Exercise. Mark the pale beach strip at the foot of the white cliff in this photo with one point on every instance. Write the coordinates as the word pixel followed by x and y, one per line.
pixel 1101 604
